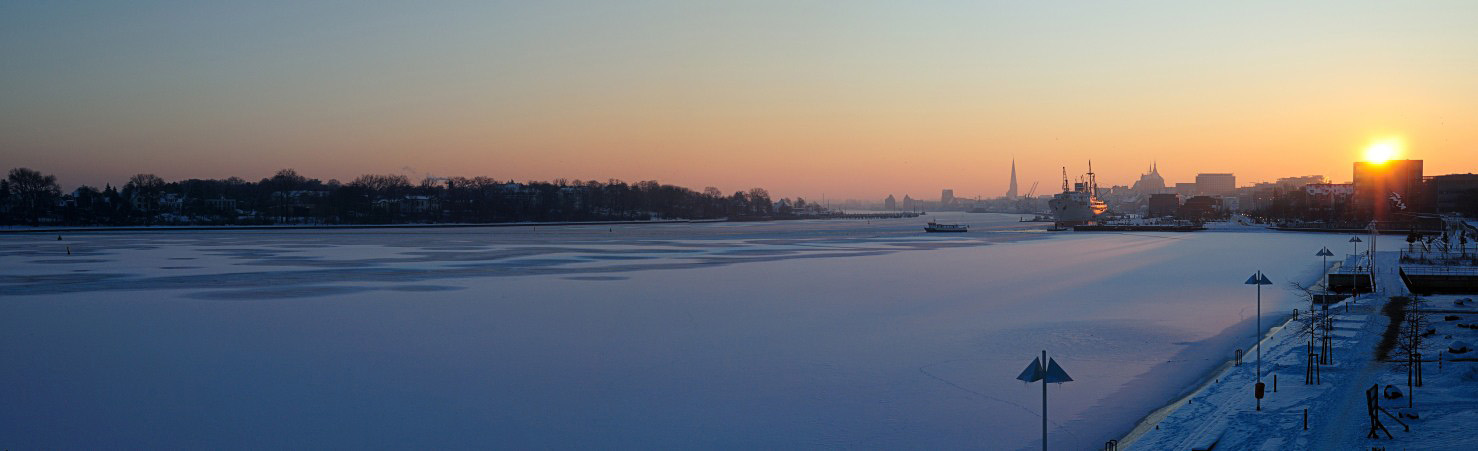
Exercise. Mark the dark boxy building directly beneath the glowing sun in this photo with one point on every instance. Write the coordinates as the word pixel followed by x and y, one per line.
pixel 1387 189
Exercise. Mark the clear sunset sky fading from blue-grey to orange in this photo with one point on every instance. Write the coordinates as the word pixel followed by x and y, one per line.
pixel 846 100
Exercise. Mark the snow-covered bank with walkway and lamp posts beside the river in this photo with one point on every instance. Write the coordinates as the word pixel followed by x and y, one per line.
pixel 1225 410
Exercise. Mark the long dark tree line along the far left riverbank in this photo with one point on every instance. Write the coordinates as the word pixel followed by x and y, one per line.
pixel 30 197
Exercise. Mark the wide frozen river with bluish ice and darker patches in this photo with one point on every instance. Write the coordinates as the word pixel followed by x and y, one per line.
pixel 778 335
